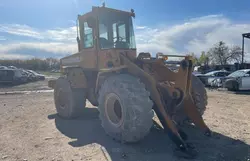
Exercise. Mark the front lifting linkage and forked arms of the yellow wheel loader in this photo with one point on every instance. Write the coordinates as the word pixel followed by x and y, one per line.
pixel 173 89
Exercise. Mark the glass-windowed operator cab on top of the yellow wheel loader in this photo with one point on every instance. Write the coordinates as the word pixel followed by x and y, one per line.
pixel 106 32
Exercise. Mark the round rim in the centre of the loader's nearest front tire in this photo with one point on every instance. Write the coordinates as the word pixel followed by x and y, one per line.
pixel 113 109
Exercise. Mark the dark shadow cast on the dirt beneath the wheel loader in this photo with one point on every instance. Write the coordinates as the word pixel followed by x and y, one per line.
pixel 156 146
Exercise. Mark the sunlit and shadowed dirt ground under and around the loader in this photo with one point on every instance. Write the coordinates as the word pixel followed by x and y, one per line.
pixel 31 130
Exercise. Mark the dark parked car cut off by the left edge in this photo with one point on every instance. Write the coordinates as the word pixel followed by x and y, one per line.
pixel 12 76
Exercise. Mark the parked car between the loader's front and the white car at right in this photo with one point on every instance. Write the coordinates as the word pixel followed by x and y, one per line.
pixel 209 78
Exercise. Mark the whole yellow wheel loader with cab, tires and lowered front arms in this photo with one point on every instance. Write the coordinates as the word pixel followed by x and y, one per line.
pixel 126 88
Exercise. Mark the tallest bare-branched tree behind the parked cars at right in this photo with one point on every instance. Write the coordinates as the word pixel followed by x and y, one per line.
pixel 222 54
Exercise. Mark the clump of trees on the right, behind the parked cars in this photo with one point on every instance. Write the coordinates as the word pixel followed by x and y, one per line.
pixel 219 54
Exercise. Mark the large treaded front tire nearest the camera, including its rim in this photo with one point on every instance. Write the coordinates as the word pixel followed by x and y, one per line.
pixel 125 108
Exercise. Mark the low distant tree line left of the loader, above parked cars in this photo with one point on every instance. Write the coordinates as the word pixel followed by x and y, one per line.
pixel 33 64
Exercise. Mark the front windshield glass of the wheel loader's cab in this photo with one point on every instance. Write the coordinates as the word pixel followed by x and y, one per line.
pixel 116 31
